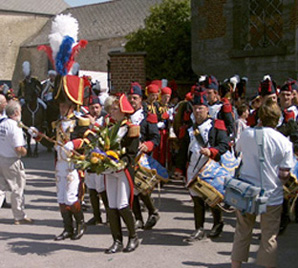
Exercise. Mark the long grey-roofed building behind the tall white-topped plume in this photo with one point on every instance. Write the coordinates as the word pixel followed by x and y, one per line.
pixel 103 25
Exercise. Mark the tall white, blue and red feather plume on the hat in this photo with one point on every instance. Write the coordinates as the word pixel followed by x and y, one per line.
pixel 64 45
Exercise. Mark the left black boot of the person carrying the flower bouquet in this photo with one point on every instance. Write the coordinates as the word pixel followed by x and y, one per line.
pixel 115 226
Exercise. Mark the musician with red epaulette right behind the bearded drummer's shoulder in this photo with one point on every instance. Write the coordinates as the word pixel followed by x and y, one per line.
pixel 219 108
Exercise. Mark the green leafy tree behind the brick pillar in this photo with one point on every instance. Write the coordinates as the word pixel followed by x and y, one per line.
pixel 166 38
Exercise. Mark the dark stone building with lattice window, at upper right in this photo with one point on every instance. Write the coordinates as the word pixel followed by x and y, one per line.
pixel 246 37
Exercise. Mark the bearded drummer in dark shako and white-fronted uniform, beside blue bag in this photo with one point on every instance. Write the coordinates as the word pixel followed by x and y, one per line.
pixel 207 138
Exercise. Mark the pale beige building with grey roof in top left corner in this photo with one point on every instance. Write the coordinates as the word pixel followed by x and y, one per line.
pixel 20 20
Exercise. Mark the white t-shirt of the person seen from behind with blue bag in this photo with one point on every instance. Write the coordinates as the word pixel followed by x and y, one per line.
pixel 278 153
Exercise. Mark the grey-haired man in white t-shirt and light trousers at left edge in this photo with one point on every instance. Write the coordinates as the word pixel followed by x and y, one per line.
pixel 12 172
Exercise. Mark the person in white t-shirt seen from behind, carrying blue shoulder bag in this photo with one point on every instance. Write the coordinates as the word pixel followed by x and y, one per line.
pixel 278 160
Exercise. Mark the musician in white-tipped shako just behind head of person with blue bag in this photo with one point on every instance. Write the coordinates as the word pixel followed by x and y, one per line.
pixel 267 90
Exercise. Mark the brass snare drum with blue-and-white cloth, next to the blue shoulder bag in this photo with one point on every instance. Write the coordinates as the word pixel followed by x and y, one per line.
pixel 209 183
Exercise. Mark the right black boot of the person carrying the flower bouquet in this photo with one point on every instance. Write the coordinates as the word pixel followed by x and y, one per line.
pixel 133 241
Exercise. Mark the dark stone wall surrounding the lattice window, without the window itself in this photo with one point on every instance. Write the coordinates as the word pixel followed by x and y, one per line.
pixel 216 28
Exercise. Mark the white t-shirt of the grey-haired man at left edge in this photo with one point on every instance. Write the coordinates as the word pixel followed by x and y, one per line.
pixel 11 136
